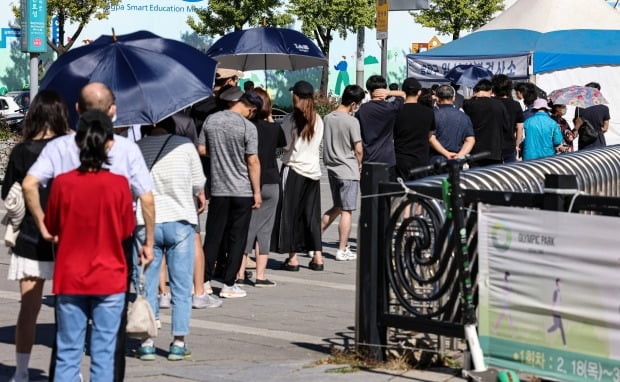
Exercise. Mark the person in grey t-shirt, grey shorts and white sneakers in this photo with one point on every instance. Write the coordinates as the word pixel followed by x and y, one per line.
pixel 342 156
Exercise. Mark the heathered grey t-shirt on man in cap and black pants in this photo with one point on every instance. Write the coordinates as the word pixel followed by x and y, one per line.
pixel 229 137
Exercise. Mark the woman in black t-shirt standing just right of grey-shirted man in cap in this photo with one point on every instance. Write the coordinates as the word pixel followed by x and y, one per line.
pixel 270 138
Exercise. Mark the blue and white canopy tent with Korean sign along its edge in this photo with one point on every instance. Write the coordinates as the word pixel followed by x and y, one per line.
pixel 555 43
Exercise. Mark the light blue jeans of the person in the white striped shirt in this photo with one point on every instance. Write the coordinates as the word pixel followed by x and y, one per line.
pixel 176 241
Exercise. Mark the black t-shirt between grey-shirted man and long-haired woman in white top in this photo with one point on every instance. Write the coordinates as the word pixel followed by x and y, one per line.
pixel 270 137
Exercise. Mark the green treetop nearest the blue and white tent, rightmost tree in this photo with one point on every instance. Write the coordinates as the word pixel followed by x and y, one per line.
pixel 454 16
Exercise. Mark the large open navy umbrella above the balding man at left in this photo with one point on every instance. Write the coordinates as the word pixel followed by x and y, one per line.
pixel 150 76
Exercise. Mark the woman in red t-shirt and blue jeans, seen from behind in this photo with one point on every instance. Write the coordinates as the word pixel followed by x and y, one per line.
pixel 90 213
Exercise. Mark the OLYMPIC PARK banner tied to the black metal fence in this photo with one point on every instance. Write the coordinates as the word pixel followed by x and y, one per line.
pixel 549 293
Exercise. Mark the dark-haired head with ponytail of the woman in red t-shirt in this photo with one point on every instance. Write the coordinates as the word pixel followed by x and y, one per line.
pixel 93 132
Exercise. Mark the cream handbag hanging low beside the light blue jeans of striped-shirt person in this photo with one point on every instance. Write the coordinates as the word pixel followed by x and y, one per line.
pixel 140 318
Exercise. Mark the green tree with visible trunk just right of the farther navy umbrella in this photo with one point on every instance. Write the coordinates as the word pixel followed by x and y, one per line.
pixel 321 19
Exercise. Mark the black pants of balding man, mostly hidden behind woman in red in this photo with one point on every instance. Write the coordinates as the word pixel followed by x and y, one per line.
pixel 121 336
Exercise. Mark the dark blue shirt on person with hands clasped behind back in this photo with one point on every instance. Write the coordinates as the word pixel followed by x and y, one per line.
pixel 452 126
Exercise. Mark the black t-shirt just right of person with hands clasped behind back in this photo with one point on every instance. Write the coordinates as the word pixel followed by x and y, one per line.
pixel 489 117
